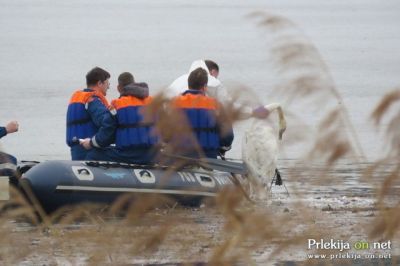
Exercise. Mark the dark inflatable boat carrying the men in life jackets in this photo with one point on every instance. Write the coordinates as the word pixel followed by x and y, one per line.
pixel 59 183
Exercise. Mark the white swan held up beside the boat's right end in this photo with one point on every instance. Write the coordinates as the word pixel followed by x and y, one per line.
pixel 260 150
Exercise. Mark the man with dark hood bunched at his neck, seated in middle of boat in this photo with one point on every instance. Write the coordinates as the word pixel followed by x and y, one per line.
pixel 135 140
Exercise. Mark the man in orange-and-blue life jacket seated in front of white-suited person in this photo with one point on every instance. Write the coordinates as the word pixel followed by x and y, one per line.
pixel 202 114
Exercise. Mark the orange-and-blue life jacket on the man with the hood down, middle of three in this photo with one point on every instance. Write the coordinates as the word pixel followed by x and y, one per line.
pixel 132 131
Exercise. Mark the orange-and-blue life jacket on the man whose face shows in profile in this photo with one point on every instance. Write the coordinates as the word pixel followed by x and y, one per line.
pixel 79 122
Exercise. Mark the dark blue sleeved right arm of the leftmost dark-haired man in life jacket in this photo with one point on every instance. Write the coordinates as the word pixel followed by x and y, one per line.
pixel 105 121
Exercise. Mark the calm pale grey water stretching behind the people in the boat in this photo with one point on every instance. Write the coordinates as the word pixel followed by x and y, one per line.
pixel 47 47
